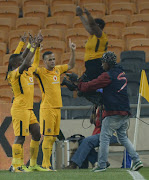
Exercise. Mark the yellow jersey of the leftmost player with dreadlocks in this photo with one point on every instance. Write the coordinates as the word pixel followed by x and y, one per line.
pixel 23 88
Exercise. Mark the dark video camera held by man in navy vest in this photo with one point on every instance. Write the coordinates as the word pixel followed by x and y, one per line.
pixel 95 97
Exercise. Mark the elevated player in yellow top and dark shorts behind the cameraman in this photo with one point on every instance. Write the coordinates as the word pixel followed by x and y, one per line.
pixel 96 45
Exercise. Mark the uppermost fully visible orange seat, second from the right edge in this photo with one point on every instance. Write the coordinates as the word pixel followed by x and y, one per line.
pixel 126 8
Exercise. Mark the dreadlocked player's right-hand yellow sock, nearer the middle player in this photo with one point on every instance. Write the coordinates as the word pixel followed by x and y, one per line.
pixel 34 148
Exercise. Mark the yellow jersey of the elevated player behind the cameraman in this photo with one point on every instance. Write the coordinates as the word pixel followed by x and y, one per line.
pixel 95 47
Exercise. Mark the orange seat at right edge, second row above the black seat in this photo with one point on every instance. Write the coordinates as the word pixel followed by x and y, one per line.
pixel 133 32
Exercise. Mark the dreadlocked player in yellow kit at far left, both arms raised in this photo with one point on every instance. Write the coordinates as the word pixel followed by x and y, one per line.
pixel 20 77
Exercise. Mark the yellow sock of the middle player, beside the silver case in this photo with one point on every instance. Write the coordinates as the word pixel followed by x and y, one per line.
pixel 47 146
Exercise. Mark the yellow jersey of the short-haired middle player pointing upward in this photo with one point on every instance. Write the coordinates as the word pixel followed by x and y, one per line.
pixel 49 82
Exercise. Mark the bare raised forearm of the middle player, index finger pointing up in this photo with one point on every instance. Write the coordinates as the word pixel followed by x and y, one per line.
pixel 71 62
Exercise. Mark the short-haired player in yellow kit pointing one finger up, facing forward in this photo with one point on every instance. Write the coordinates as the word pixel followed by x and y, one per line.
pixel 50 112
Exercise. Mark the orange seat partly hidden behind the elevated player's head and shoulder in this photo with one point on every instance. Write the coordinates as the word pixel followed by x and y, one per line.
pixel 113 32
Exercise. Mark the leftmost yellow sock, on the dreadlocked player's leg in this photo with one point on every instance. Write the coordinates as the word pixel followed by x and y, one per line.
pixel 17 154
